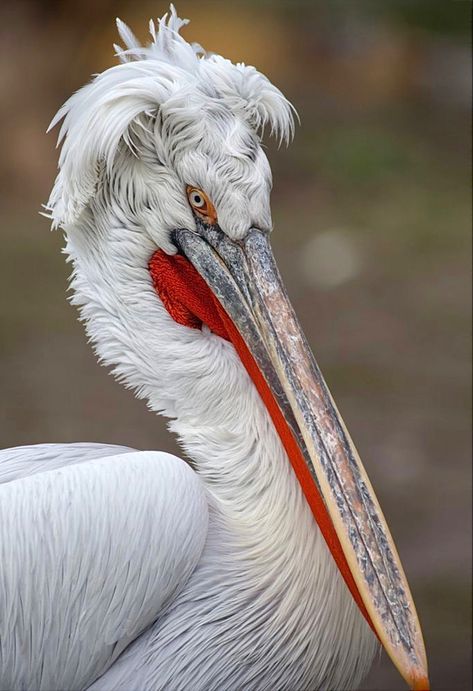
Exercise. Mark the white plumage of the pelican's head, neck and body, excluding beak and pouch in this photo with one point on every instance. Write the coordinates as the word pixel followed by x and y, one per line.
pixel 220 576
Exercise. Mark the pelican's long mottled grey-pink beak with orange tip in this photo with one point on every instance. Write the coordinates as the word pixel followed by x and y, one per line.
pixel 245 280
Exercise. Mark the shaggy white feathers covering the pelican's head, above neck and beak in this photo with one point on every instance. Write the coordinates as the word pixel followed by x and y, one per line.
pixel 177 116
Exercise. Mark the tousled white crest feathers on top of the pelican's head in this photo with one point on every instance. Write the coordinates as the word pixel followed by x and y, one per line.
pixel 170 90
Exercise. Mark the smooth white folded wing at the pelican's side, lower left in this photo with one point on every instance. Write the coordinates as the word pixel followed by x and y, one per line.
pixel 90 553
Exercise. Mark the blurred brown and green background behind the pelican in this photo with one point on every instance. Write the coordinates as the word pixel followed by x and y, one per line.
pixel 371 206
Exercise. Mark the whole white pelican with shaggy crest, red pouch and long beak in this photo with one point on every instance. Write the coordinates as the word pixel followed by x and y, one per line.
pixel 263 564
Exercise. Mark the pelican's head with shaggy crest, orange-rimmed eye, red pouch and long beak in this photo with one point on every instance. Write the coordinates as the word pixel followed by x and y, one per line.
pixel 167 144
